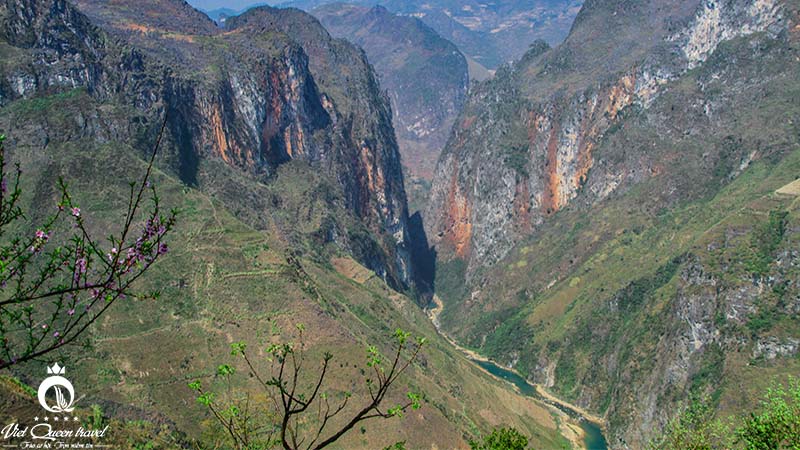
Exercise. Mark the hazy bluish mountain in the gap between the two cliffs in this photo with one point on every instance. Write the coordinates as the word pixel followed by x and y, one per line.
pixel 425 76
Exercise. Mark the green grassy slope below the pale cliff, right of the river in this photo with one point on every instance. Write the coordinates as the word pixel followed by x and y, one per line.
pixel 549 300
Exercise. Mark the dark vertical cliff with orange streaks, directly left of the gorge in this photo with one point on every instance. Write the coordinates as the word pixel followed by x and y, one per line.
pixel 231 121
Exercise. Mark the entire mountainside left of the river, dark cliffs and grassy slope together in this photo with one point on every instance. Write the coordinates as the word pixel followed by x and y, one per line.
pixel 255 162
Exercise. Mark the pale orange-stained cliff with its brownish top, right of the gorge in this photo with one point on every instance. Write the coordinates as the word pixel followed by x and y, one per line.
pixel 523 148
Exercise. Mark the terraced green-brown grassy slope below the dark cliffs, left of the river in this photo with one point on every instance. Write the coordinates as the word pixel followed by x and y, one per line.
pixel 223 282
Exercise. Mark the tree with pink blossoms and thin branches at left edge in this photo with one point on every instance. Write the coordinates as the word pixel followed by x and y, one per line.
pixel 55 278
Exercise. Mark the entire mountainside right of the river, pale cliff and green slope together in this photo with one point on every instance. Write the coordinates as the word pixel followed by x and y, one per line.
pixel 616 219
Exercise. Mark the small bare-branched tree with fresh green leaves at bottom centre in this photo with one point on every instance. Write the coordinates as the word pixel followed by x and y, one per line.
pixel 295 418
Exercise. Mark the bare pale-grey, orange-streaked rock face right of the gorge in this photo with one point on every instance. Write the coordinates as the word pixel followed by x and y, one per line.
pixel 480 206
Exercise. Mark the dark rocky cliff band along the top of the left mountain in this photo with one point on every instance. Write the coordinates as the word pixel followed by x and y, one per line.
pixel 272 88
